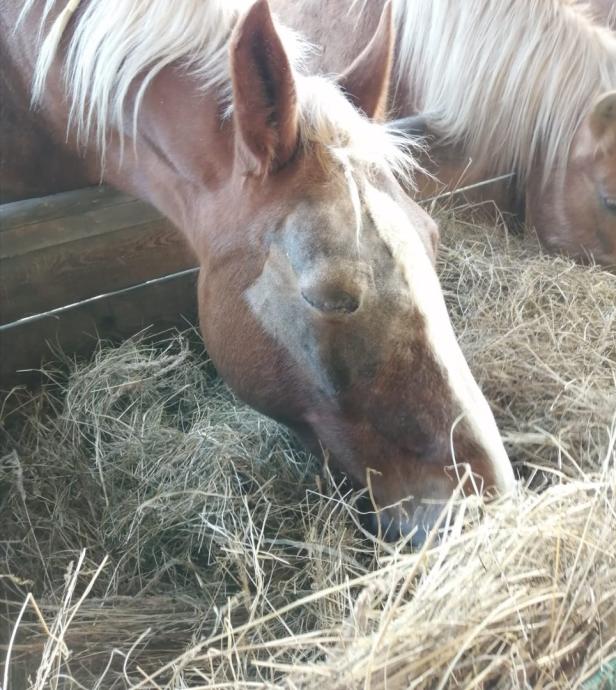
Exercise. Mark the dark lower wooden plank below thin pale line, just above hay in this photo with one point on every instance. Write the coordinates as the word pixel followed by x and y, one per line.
pixel 161 305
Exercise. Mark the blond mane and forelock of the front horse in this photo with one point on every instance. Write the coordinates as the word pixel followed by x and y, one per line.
pixel 114 43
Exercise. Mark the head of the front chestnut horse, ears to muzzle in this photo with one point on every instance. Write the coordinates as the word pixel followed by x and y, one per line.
pixel 320 304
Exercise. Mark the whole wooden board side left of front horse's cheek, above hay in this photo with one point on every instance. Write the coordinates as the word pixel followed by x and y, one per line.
pixel 83 265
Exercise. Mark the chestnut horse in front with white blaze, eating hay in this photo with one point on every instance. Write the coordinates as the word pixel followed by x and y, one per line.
pixel 319 302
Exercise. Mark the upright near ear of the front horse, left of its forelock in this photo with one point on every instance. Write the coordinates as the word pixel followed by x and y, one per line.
pixel 264 94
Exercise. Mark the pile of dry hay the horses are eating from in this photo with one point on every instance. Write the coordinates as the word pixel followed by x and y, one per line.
pixel 157 534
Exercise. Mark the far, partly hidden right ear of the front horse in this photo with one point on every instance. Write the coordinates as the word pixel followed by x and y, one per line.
pixel 366 82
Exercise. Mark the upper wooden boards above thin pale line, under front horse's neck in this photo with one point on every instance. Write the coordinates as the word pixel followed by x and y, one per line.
pixel 77 245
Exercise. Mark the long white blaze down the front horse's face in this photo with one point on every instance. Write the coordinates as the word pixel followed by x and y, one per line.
pixel 427 297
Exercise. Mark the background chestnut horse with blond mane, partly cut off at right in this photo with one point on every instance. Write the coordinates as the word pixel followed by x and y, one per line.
pixel 523 93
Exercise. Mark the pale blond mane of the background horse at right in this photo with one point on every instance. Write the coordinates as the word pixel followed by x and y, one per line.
pixel 509 80
